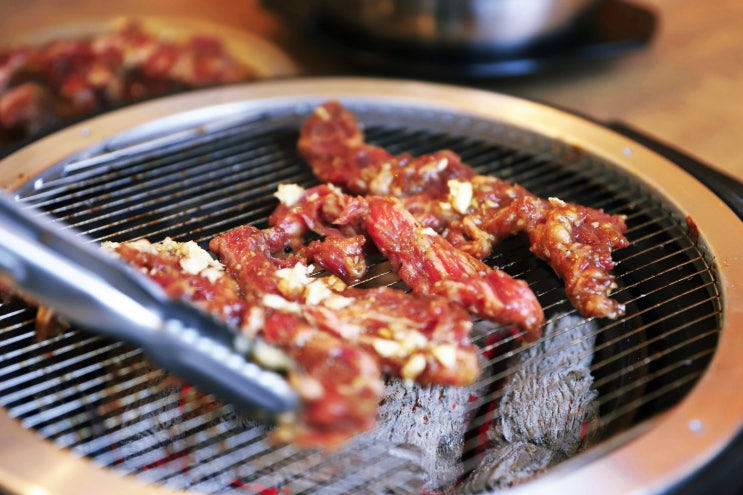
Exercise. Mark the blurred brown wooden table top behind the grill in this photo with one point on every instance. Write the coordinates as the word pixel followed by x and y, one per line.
pixel 685 88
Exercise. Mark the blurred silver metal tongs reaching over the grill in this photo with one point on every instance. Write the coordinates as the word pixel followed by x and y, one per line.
pixel 101 293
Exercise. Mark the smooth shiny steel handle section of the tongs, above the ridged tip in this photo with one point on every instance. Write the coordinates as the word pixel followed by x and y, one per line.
pixel 55 267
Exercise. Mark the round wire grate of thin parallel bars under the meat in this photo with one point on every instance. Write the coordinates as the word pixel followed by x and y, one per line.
pixel 104 401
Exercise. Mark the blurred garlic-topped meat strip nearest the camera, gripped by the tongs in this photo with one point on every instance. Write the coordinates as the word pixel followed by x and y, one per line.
pixel 340 384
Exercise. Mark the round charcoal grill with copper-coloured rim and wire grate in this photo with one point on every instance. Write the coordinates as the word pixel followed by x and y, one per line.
pixel 82 414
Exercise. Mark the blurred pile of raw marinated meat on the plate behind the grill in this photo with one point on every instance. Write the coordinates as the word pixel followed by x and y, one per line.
pixel 66 78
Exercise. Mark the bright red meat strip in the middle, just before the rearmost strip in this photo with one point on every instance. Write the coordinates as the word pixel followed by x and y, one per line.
pixel 423 259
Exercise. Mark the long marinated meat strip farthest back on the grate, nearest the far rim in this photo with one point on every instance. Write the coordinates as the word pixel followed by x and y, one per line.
pixel 472 211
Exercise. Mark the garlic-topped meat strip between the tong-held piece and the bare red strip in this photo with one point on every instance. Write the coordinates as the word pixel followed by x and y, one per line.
pixel 421 339
